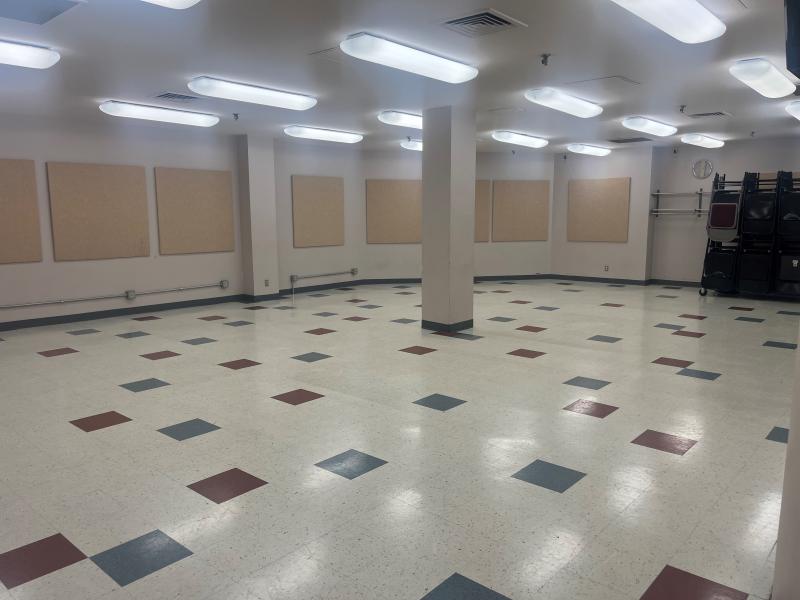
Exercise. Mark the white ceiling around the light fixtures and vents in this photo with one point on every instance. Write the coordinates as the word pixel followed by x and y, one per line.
pixel 131 50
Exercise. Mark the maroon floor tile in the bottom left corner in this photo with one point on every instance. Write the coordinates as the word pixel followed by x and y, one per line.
pixel 32 561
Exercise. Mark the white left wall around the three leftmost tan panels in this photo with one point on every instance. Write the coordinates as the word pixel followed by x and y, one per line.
pixel 147 146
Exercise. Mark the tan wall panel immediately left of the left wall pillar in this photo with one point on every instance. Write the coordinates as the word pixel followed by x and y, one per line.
pixel 195 211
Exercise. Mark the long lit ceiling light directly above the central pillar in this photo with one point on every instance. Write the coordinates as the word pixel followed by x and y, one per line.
pixel 391 54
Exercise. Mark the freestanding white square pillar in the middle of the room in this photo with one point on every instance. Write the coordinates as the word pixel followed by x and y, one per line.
pixel 448 218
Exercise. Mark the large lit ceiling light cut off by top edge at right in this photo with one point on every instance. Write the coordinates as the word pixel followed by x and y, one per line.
pixel 686 20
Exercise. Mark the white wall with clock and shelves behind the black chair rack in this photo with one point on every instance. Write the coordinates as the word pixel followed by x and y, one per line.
pixel 679 242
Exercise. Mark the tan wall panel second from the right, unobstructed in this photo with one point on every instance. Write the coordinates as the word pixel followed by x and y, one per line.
pixel 521 211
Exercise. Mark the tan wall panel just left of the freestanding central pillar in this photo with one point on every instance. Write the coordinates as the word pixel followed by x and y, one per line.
pixel 394 211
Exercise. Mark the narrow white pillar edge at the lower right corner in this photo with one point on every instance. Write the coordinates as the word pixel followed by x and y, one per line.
pixel 787 559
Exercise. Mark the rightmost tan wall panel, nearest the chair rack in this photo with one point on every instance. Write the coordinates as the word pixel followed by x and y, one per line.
pixel 598 210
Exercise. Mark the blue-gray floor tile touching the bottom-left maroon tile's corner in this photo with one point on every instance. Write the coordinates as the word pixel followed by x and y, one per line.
pixel 138 558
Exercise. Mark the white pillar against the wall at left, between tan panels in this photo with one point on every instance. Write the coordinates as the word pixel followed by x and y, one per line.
pixel 257 215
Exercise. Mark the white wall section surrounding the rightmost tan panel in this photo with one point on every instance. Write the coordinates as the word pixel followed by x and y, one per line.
pixel 588 259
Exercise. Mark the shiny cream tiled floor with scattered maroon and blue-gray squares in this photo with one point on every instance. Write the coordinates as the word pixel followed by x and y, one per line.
pixel 582 442
